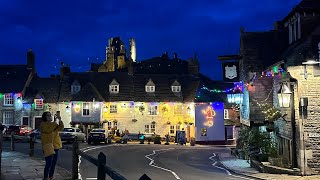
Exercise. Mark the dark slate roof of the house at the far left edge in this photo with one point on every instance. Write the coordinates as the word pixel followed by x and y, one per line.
pixel 13 78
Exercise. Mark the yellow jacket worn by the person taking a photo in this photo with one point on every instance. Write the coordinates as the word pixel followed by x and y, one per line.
pixel 47 136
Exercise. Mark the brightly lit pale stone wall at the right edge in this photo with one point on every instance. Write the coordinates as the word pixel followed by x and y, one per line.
pixel 310 127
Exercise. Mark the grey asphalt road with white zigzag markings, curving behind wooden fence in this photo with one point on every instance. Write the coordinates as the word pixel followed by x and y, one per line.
pixel 157 161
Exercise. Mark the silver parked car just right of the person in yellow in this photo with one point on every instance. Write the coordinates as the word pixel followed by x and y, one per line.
pixel 69 134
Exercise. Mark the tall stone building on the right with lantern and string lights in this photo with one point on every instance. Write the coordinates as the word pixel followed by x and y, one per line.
pixel 270 59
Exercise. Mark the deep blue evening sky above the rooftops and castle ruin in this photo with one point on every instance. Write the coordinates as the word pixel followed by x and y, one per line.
pixel 76 31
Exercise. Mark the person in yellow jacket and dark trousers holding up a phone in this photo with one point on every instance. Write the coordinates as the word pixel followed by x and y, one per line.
pixel 47 128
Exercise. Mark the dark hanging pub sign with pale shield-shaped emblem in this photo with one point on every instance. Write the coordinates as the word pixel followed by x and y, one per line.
pixel 230 71
